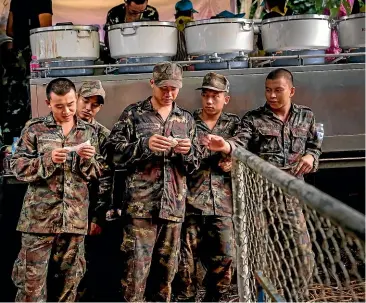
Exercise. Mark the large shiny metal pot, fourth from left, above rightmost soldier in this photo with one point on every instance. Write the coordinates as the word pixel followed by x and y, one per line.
pixel 300 32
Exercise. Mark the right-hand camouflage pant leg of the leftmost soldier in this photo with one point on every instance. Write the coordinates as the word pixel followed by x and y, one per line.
pixel 67 267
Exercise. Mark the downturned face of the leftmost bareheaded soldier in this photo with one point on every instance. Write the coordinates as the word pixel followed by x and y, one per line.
pixel 63 107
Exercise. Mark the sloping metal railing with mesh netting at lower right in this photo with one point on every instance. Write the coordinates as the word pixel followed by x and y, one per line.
pixel 297 242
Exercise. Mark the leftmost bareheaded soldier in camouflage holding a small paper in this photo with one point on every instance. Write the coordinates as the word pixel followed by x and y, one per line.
pixel 54 216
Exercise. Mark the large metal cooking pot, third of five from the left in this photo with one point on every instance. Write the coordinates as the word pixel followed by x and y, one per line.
pixel 223 35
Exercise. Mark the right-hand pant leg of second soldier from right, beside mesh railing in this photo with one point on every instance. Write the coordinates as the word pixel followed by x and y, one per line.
pixel 217 253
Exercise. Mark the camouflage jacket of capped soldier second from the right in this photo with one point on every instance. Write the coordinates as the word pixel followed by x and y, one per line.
pixel 209 187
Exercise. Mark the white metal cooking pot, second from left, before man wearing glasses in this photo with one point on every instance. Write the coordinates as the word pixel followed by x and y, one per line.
pixel 143 39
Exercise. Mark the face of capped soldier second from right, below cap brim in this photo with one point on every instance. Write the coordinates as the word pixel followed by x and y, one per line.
pixel 213 102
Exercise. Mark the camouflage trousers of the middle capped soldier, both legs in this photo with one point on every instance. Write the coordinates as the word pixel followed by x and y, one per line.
pixel 150 249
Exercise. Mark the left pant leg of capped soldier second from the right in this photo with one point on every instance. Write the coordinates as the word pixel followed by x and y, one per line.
pixel 186 282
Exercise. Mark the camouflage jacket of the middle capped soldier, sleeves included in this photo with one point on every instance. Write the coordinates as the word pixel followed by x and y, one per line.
pixel 156 182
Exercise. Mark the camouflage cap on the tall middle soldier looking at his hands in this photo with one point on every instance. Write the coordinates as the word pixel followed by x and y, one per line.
pixel 168 74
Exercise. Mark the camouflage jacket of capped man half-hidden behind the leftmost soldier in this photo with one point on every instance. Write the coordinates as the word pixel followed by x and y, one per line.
pixel 100 191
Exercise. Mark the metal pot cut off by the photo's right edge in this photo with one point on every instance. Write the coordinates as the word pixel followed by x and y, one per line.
pixel 352 31
